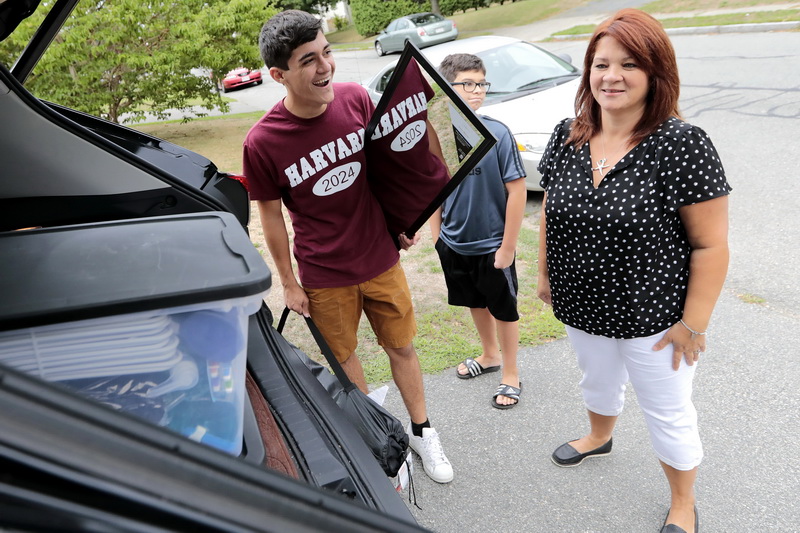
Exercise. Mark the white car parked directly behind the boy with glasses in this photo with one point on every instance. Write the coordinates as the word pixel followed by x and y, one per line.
pixel 532 90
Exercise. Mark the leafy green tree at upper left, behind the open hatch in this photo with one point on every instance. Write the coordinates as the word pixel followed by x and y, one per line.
pixel 126 57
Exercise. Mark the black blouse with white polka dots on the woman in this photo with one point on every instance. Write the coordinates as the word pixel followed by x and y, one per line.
pixel 618 255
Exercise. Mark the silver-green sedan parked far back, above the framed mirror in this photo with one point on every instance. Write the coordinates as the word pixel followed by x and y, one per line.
pixel 422 29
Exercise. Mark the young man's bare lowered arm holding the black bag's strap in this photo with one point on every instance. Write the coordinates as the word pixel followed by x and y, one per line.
pixel 277 238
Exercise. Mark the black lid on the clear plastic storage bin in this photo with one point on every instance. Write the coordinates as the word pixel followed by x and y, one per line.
pixel 86 271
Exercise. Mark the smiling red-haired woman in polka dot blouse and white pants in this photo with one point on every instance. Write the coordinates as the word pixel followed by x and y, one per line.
pixel 633 249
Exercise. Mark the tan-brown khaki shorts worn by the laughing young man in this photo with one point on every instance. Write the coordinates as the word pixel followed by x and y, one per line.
pixel 385 299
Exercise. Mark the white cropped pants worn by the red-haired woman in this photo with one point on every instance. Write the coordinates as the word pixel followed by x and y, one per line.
pixel 665 395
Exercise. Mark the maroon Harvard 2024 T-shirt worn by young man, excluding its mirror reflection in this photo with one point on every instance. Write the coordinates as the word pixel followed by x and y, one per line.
pixel 317 167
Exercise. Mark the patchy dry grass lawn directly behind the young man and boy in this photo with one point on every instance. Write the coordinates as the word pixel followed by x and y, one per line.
pixel 446 334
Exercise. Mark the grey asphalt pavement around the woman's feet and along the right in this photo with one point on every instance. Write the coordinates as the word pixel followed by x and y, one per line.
pixel 744 90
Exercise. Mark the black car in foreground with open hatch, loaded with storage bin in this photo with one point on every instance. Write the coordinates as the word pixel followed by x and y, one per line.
pixel 111 422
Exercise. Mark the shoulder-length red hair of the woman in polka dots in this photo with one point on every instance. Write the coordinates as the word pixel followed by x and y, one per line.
pixel 645 39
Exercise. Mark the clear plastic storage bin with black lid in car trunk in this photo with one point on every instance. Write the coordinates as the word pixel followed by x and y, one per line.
pixel 87 306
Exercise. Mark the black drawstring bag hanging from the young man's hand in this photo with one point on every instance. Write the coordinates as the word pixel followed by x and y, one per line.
pixel 381 431
